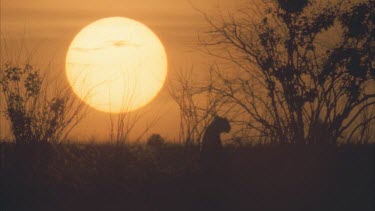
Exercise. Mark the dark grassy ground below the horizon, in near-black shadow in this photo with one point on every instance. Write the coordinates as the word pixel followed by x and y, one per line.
pixel 74 176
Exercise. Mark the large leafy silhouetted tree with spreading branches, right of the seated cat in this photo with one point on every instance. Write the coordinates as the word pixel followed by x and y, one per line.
pixel 299 65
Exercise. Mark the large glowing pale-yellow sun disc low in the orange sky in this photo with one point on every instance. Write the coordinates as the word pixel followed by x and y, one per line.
pixel 116 65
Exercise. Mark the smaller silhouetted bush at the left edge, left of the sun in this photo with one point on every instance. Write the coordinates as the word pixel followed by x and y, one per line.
pixel 37 110
